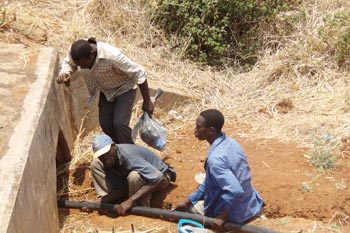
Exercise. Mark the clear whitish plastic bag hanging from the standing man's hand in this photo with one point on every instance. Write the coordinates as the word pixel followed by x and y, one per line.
pixel 150 131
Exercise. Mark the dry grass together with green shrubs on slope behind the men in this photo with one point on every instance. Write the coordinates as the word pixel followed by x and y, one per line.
pixel 296 87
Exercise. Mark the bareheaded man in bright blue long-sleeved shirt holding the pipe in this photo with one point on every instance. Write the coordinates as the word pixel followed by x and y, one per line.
pixel 227 192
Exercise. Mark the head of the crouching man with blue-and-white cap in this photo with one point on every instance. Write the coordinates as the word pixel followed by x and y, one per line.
pixel 103 148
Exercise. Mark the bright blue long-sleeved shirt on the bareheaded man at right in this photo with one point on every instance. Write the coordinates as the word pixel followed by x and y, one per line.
pixel 227 184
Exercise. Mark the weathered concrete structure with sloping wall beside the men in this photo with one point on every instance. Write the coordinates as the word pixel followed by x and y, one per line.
pixel 39 122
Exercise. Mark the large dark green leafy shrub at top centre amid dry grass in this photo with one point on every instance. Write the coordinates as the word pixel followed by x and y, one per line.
pixel 213 31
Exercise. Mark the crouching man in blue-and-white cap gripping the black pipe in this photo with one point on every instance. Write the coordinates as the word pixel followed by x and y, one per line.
pixel 127 173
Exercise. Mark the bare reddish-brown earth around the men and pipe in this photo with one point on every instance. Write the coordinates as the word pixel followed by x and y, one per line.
pixel 298 197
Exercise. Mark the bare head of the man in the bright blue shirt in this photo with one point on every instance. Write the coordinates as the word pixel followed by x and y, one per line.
pixel 209 124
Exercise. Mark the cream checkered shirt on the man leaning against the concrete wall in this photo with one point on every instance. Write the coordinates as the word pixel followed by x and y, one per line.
pixel 112 73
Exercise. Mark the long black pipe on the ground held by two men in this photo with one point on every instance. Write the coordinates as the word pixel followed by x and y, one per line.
pixel 164 214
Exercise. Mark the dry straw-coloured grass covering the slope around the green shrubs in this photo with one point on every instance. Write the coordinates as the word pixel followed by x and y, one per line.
pixel 300 69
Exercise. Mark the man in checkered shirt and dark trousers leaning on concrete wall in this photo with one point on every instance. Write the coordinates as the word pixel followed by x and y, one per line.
pixel 108 72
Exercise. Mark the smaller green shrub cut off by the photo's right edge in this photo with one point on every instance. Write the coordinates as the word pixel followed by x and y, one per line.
pixel 336 34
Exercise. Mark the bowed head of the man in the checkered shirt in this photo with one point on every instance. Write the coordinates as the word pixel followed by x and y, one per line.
pixel 82 53
